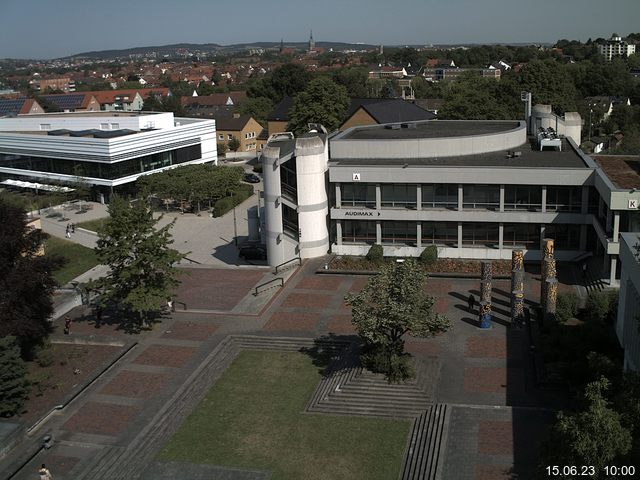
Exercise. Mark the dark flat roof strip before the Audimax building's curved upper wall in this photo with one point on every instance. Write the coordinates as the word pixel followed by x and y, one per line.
pixel 529 157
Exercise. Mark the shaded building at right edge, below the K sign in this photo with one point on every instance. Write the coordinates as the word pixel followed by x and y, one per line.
pixel 629 301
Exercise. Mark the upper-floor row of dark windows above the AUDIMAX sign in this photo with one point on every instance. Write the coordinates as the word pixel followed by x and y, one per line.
pixel 516 197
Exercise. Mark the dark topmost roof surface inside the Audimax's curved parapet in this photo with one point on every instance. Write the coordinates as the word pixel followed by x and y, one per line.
pixel 429 129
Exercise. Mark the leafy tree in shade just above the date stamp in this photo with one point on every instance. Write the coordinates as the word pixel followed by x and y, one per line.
pixel 594 436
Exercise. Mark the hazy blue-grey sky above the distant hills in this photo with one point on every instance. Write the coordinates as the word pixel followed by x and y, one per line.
pixel 49 29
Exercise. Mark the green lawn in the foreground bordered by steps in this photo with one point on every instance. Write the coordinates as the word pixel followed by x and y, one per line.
pixel 252 418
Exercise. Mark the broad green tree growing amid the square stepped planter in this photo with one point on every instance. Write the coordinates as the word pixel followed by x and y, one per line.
pixel 392 304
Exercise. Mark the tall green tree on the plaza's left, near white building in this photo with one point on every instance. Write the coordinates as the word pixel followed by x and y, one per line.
pixel 142 265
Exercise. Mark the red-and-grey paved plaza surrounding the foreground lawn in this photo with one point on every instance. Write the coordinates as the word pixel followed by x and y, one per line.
pixel 485 376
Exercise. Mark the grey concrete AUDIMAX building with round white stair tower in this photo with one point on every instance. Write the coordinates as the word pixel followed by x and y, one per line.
pixel 475 189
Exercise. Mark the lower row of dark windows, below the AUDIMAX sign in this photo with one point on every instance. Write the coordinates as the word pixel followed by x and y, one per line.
pixel 515 235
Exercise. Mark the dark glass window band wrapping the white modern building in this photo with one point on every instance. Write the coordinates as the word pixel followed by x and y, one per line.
pixel 108 171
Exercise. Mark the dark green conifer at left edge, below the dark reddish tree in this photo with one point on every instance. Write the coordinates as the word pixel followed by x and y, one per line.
pixel 13 383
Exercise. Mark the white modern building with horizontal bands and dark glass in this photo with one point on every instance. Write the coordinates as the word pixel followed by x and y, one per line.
pixel 109 150
